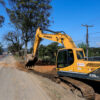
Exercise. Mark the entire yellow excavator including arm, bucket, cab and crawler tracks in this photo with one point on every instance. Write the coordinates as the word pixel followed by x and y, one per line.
pixel 72 65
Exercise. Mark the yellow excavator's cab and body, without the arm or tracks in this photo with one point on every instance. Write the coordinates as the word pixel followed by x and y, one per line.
pixel 72 63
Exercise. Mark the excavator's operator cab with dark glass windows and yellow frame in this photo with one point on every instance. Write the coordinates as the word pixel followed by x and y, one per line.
pixel 67 57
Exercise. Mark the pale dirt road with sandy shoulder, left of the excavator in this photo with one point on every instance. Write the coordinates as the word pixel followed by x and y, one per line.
pixel 20 85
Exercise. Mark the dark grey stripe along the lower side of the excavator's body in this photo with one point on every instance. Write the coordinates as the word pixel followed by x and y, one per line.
pixel 90 76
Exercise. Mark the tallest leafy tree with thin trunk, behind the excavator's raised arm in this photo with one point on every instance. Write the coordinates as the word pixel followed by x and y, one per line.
pixel 27 15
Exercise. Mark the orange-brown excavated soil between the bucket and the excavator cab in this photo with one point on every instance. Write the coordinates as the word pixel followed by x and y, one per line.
pixel 48 71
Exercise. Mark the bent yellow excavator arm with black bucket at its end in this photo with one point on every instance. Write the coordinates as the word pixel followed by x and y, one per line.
pixel 64 39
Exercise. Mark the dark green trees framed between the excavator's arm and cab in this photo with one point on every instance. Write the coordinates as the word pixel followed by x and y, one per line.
pixel 48 53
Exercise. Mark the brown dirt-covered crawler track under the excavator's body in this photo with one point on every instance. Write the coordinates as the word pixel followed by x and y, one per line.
pixel 86 90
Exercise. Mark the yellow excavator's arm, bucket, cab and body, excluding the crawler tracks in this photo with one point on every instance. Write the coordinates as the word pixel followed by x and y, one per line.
pixel 70 60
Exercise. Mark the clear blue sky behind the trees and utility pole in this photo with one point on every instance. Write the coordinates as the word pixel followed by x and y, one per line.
pixel 68 15
